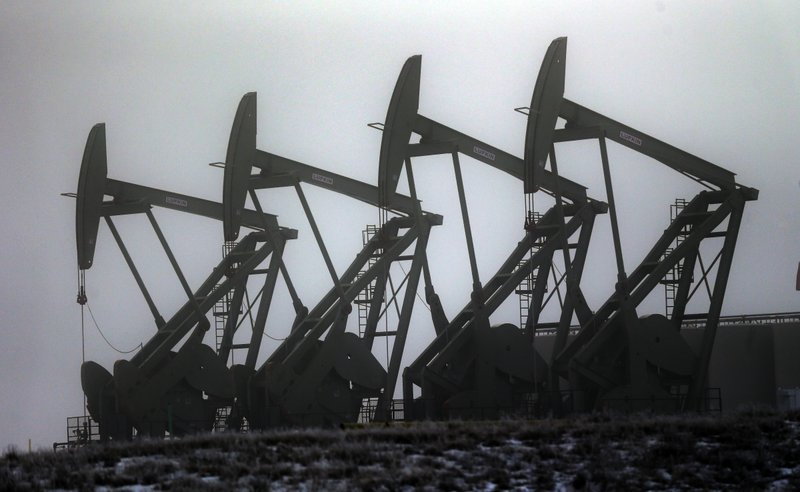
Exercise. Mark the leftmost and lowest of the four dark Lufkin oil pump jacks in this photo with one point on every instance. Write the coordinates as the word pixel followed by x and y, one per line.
pixel 163 387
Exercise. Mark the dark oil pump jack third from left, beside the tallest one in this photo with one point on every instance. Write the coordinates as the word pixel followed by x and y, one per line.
pixel 472 369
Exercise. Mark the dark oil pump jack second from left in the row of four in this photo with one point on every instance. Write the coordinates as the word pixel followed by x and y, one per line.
pixel 309 380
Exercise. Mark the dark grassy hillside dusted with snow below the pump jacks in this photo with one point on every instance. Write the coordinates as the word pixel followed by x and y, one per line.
pixel 751 450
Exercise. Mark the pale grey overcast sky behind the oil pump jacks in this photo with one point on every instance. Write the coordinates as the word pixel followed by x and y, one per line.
pixel 718 79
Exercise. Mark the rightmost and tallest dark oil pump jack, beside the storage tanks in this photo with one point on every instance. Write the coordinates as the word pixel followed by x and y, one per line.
pixel 620 359
